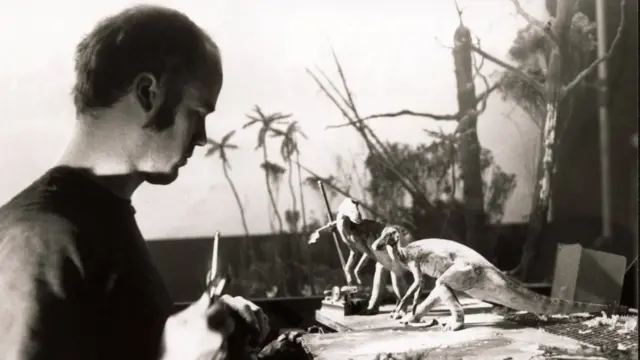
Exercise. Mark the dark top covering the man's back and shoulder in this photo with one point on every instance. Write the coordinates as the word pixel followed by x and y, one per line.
pixel 76 277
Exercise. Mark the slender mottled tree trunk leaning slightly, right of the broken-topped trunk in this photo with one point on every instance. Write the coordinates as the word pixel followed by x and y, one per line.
pixel 557 70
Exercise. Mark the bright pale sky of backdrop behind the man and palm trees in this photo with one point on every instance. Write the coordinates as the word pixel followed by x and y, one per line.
pixel 395 56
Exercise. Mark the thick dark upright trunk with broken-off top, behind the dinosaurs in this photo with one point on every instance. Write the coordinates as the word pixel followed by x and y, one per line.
pixel 469 146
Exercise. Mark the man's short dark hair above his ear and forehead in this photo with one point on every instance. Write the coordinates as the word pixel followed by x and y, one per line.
pixel 144 38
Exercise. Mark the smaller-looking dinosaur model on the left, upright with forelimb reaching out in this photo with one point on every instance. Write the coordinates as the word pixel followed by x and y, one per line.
pixel 359 234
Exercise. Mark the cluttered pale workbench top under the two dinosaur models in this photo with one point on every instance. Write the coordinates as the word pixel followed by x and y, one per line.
pixel 486 336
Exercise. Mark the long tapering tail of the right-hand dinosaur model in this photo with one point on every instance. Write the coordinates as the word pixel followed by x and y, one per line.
pixel 512 294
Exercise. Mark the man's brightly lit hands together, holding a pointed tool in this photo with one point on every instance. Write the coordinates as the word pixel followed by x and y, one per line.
pixel 231 328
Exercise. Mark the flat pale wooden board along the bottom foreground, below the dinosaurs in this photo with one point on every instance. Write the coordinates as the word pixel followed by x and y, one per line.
pixel 478 341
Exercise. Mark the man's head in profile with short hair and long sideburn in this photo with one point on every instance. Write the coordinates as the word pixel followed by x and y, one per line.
pixel 148 76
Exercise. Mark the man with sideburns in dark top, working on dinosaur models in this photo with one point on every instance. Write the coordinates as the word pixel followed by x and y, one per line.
pixel 76 278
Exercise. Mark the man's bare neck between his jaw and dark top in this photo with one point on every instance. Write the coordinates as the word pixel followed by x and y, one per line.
pixel 103 159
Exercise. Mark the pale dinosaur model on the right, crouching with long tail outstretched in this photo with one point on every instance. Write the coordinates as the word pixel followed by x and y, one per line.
pixel 457 267
